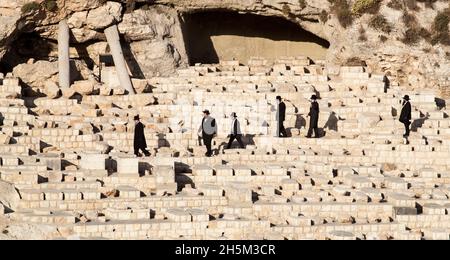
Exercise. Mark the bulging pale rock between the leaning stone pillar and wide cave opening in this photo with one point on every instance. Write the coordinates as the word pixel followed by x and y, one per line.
pixel 157 43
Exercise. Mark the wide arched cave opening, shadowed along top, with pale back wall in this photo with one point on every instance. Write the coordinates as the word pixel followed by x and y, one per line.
pixel 214 36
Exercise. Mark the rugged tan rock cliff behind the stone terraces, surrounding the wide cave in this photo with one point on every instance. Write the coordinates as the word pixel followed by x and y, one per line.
pixel 405 39
